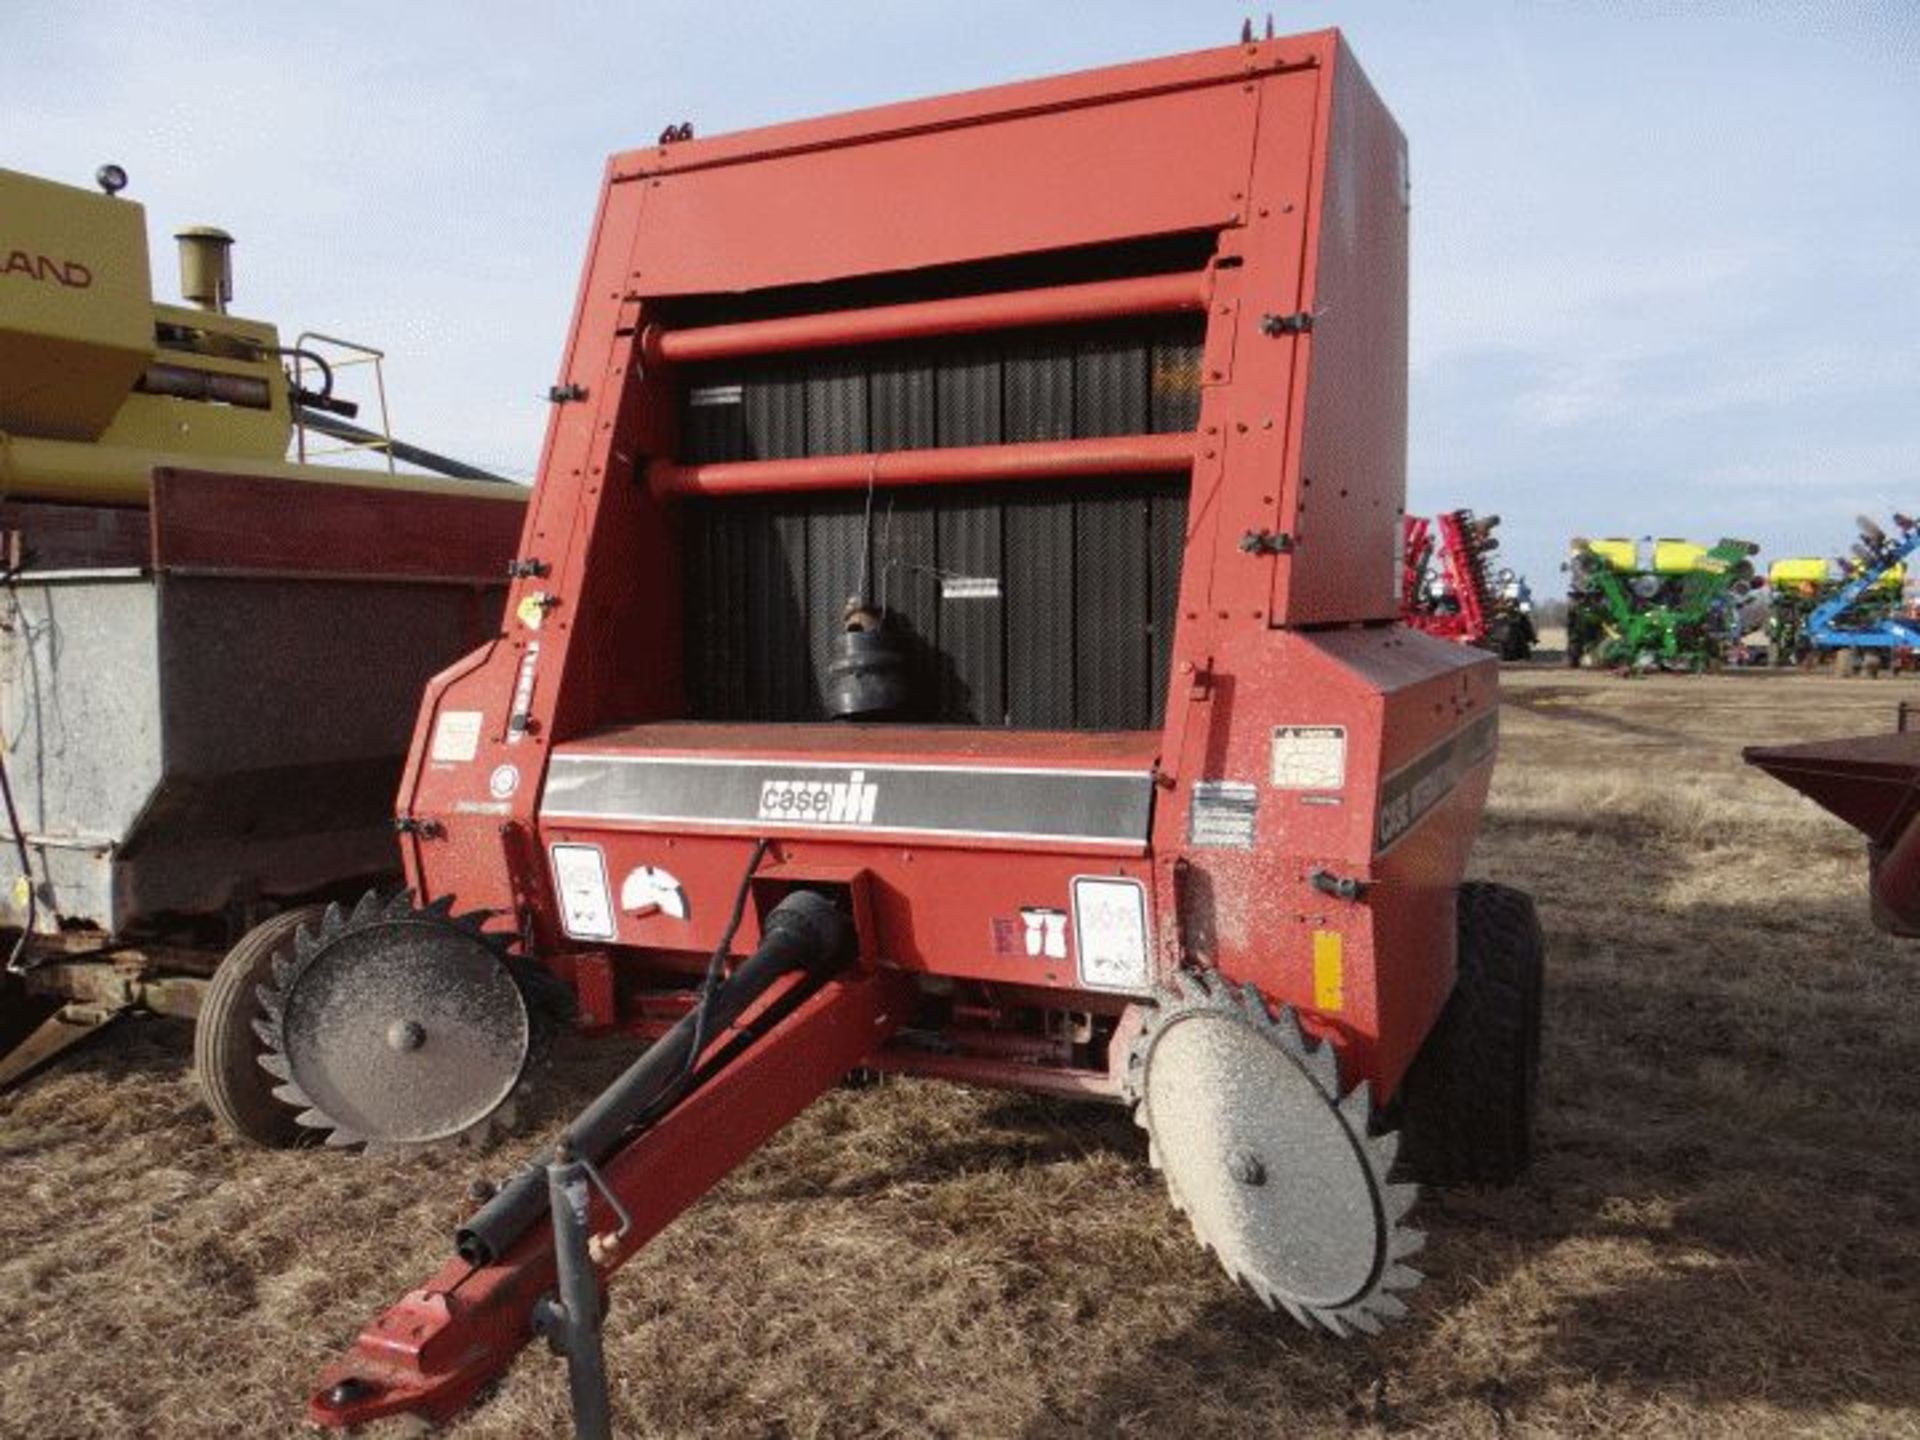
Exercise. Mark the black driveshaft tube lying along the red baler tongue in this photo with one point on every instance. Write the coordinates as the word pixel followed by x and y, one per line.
pixel 805 934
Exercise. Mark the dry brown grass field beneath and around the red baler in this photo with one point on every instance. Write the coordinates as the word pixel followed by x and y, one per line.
pixel 1721 1239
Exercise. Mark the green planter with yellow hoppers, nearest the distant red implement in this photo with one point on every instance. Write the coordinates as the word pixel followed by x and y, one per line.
pixel 1677 608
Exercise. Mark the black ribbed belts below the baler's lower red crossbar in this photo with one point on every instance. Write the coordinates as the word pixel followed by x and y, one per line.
pixel 1015 610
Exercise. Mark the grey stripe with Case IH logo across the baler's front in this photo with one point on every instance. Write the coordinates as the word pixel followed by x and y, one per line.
pixel 1015 804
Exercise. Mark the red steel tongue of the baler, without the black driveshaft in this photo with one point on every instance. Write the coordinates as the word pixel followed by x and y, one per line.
pixel 433 1351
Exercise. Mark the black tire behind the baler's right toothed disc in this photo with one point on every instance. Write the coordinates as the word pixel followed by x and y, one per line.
pixel 1468 1105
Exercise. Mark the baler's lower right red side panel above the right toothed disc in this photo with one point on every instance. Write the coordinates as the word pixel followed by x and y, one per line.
pixel 1412 725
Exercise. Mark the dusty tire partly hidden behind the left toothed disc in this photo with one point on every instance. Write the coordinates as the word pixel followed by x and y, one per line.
pixel 226 1049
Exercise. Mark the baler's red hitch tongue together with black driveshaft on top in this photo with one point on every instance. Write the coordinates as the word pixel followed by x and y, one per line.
pixel 786 1028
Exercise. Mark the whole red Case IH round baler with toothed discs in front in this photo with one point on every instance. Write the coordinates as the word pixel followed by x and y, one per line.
pixel 955 635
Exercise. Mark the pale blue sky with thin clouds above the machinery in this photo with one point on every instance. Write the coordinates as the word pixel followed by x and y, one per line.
pixel 1666 256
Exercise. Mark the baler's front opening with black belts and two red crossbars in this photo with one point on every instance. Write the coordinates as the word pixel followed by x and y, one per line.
pixel 1013 604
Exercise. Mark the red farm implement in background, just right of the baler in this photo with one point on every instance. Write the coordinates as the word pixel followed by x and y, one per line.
pixel 1449 585
